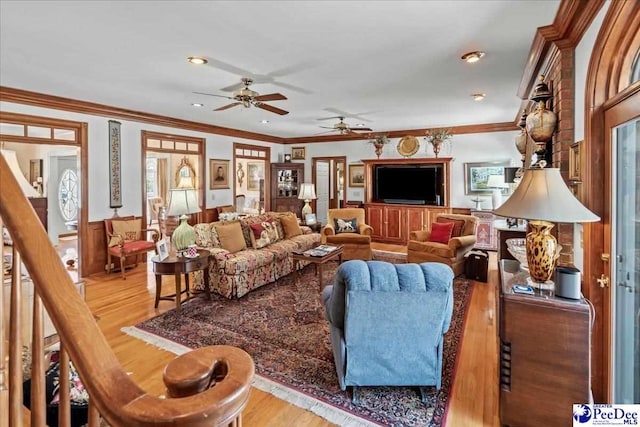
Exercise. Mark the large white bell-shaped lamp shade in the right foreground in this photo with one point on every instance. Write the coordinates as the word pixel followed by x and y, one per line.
pixel 543 196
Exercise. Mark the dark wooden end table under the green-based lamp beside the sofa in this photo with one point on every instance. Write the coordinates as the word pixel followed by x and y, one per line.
pixel 177 265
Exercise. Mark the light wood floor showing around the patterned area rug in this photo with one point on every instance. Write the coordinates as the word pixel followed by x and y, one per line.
pixel 119 303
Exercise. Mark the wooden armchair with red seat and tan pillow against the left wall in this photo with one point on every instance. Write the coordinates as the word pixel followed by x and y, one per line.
pixel 126 237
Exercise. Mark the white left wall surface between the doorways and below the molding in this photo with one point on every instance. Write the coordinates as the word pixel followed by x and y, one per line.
pixel 217 146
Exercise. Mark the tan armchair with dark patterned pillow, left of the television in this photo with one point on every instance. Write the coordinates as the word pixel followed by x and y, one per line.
pixel 356 245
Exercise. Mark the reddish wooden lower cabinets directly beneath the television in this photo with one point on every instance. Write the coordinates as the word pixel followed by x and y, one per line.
pixel 394 223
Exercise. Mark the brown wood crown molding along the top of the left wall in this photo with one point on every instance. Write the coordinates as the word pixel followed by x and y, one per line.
pixel 21 96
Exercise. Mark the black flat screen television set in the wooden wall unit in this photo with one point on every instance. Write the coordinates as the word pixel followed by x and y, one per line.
pixel 409 184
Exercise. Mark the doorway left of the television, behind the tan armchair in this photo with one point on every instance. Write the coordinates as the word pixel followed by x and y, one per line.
pixel 331 187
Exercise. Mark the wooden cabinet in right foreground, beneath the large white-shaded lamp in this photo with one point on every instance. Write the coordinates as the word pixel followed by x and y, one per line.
pixel 544 360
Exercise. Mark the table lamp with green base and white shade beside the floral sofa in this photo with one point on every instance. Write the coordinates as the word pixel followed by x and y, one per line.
pixel 183 202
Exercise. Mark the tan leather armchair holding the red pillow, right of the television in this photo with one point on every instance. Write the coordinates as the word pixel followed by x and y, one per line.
pixel 463 238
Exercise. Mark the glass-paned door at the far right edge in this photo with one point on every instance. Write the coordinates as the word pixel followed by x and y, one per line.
pixel 623 126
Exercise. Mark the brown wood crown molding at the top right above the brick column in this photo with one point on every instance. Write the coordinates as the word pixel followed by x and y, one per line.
pixel 571 22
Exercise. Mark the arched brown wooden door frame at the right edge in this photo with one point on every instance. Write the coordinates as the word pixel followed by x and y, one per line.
pixel 607 85
